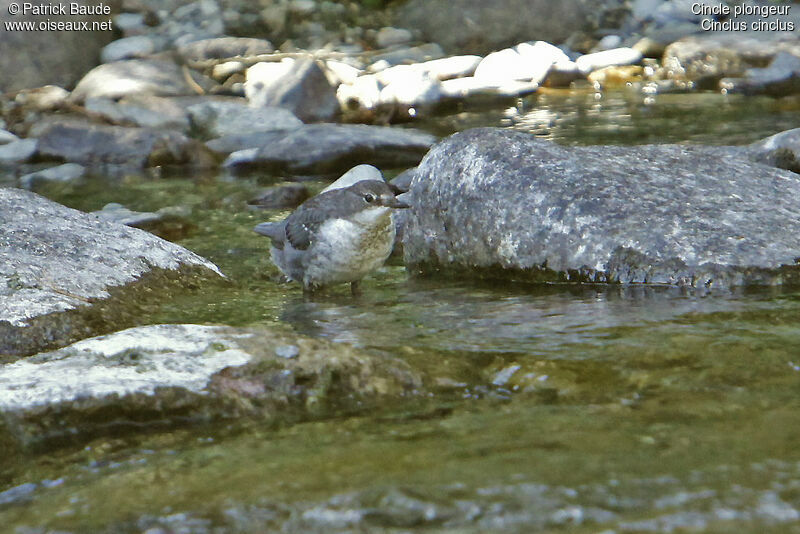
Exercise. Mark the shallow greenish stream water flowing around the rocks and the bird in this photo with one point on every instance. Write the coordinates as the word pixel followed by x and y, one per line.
pixel 551 408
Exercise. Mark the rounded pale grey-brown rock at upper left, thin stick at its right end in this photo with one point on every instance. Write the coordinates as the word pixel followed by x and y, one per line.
pixel 139 77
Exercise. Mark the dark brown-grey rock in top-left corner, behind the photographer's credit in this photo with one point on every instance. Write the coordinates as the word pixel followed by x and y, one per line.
pixel 47 57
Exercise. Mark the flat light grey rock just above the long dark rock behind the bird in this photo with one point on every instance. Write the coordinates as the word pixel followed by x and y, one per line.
pixel 215 118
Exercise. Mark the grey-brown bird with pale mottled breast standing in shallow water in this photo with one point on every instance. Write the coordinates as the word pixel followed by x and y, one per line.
pixel 338 236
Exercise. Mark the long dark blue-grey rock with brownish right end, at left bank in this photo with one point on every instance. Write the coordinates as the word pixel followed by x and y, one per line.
pixel 92 144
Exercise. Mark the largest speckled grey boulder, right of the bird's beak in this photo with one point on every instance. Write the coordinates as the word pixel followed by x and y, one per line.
pixel 505 204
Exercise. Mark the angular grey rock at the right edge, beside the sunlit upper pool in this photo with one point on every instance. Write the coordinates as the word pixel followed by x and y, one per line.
pixel 780 78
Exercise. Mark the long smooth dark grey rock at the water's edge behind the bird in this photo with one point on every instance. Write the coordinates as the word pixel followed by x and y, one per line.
pixel 326 148
